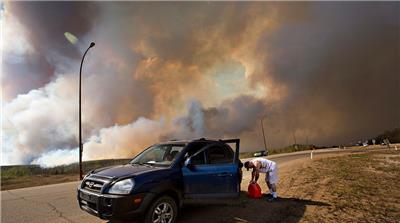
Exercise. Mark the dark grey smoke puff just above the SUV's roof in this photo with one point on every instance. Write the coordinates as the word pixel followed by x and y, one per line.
pixel 230 119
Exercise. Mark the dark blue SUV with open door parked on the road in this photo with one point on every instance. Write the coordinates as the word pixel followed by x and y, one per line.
pixel 158 181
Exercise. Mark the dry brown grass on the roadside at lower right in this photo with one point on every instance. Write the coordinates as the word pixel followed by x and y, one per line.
pixel 359 187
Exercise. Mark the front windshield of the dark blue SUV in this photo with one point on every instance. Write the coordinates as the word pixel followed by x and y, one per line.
pixel 162 154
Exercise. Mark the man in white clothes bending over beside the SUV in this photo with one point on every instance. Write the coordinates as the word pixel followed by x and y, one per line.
pixel 261 165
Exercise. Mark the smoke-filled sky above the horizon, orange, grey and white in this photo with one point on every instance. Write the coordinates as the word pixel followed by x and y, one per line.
pixel 326 73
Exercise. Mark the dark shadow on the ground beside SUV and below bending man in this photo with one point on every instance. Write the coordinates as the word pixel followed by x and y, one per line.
pixel 245 209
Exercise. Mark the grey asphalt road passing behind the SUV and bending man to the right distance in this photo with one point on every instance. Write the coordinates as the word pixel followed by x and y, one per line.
pixel 57 202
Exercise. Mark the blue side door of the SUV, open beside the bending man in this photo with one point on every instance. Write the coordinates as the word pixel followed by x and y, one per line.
pixel 213 171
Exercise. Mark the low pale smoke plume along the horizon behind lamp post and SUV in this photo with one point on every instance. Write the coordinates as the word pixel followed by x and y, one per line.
pixel 110 143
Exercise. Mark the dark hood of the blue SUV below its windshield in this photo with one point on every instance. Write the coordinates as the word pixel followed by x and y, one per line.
pixel 125 170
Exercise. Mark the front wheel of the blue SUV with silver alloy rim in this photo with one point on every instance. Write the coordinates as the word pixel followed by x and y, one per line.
pixel 163 210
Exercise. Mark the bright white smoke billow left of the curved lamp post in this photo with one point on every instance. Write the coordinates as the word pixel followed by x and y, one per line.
pixel 39 121
